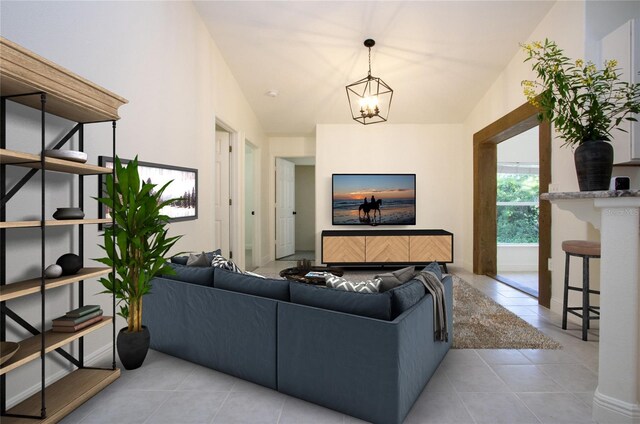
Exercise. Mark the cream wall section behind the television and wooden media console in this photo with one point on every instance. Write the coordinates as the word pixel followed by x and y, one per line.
pixel 429 151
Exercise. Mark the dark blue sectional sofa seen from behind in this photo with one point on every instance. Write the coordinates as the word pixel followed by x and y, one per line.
pixel 366 355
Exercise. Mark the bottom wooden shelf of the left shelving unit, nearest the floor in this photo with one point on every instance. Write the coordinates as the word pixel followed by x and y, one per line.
pixel 64 395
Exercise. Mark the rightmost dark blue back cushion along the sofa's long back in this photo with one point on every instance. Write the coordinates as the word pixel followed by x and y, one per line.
pixel 373 305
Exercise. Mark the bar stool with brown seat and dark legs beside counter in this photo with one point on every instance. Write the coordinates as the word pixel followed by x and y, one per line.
pixel 585 250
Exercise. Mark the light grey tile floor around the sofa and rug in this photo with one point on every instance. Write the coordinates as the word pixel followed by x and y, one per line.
pixel 470 386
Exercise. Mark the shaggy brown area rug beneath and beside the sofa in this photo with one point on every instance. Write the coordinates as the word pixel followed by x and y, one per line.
pixel 478 321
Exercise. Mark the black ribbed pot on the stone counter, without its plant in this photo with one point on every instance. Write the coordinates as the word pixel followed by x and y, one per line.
pixel 594 163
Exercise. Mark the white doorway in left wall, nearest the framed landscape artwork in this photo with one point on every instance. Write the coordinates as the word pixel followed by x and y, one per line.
pixel 224 183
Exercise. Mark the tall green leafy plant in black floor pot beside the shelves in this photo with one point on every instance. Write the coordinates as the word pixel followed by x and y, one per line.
pixel 141 243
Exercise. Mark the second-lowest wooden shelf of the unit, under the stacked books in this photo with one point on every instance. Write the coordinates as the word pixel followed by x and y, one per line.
pixel 30 348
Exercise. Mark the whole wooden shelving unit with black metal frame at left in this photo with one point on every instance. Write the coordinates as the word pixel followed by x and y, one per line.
pixel 31 80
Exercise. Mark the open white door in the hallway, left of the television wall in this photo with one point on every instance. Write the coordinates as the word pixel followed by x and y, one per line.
pixel 285 208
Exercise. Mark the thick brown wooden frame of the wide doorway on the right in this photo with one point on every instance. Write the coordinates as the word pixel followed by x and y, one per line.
pixel 485 169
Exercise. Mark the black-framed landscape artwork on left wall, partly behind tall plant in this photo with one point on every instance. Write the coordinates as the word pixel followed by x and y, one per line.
pixel 184 186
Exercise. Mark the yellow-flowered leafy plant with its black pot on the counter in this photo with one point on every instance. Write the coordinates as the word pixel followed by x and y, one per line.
pixel 584 104
